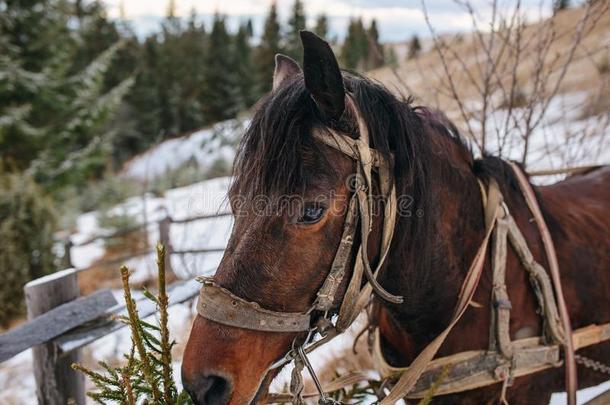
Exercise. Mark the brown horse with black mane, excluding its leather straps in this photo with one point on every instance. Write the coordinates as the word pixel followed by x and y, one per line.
pixel 280 257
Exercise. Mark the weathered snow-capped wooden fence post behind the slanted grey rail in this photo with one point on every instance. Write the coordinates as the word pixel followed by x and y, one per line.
pixel 56 381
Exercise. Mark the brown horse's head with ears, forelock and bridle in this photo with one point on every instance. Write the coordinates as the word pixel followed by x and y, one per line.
pixel 293 191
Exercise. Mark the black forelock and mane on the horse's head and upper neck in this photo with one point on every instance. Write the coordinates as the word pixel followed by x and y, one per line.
pixel 271 155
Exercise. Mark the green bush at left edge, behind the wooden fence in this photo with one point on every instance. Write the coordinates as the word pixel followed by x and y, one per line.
pixel 27 224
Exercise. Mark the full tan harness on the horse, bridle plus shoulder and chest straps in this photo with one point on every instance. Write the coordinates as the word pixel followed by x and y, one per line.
pixel 504 360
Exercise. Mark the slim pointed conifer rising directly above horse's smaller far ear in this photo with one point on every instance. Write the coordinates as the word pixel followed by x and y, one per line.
pixel 265 53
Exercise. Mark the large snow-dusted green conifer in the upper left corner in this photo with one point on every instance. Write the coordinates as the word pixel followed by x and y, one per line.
pixel 55 111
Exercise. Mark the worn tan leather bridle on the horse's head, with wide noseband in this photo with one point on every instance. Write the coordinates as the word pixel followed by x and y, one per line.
pixel 220 305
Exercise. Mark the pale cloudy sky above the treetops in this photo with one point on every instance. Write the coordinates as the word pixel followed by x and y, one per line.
pixel 397 20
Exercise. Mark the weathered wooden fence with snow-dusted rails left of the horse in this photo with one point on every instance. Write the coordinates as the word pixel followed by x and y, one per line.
pixel 61 322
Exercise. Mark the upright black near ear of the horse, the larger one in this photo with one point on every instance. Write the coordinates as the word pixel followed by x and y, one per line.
pixel 322 76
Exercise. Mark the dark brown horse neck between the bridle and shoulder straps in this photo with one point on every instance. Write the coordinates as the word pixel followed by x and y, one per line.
pixel 429 275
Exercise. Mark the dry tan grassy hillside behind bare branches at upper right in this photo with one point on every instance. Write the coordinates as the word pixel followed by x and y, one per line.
pixel 425 77
